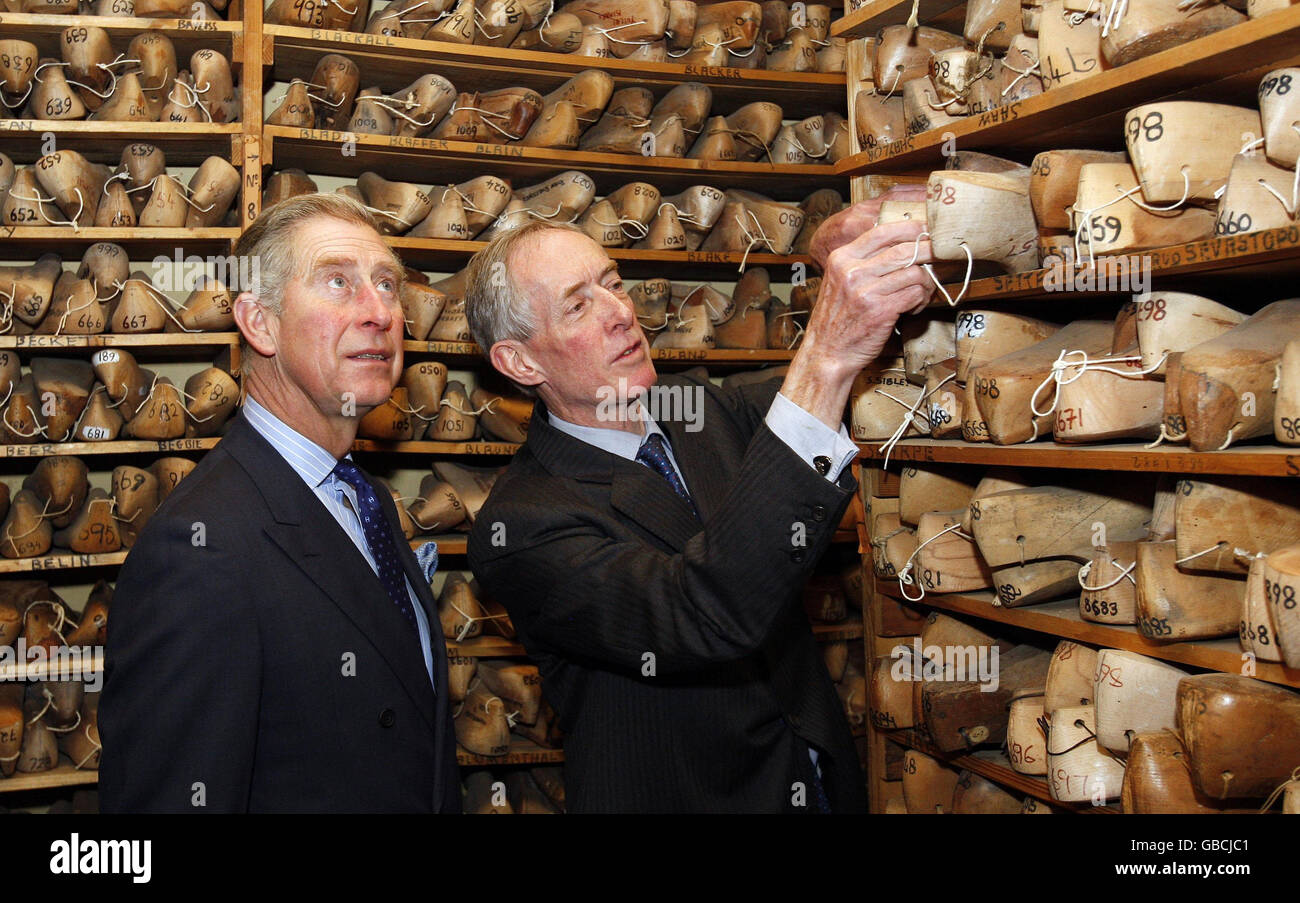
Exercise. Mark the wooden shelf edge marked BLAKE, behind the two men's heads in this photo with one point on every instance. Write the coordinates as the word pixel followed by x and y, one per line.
pixel 443 255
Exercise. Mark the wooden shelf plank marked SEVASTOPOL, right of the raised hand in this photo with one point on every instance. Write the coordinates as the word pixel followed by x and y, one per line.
pixel 1269 251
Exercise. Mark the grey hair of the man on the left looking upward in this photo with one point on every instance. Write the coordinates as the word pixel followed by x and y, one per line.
pixel 271 241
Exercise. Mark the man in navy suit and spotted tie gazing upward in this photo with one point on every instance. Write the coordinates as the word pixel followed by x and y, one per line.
pixel 270 649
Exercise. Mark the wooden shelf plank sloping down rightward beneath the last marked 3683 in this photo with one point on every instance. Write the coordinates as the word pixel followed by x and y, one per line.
pixel 1063 619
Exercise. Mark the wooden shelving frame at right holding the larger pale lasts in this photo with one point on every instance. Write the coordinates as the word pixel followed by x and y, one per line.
pixel 1223 68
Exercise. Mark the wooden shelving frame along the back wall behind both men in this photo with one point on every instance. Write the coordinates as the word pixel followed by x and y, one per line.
pixel 278 54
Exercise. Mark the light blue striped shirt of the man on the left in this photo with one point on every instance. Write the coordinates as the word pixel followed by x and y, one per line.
pixel 317 467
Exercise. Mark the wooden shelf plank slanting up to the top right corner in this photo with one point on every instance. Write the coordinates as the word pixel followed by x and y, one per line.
pixel 1225 67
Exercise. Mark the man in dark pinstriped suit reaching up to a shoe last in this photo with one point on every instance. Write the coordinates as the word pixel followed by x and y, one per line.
pixel 652 544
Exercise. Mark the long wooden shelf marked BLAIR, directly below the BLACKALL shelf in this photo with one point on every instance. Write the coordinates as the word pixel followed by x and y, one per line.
pixel 320 154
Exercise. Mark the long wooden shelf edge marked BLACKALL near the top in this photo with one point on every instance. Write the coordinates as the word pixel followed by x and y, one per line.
pixel 395 63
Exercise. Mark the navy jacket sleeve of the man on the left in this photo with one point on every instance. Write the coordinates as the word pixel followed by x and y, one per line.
pixel 180 707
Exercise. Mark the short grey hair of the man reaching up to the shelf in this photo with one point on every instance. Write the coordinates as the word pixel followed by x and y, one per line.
pixel 496 309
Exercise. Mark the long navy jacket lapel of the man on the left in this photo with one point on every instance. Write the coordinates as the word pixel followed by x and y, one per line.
pixel 318 546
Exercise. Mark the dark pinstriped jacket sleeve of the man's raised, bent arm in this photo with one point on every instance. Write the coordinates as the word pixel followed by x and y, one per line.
pixel 577 591
